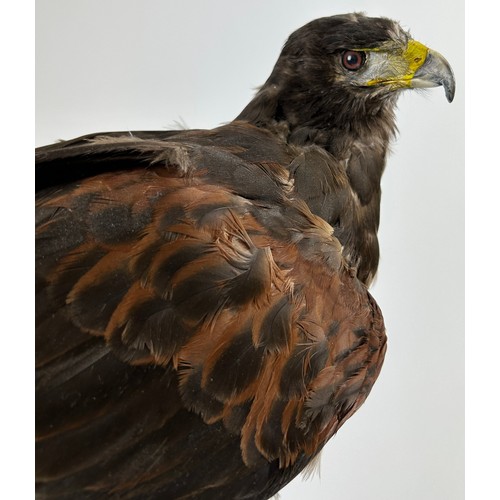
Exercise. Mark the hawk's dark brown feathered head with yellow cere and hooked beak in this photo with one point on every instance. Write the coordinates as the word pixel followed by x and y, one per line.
pixel 336 70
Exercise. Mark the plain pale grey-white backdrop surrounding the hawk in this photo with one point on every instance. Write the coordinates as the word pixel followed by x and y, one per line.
pixel 105 65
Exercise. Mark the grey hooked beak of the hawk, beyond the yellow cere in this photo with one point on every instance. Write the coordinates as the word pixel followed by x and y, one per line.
pixel 435 71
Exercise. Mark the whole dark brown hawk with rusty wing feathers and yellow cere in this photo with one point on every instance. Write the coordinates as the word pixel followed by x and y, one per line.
pixel 204 324
